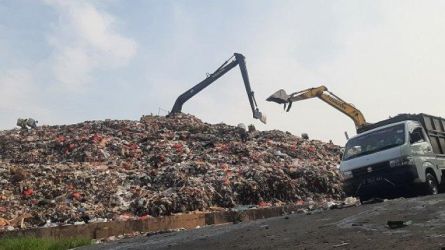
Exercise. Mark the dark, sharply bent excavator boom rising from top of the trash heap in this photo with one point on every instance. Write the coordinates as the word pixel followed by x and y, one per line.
pixel 223 69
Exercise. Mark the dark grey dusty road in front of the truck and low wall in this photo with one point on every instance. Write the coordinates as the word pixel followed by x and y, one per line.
pixel 363 227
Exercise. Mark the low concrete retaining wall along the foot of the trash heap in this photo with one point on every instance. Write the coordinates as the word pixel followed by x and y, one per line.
pixel 187 221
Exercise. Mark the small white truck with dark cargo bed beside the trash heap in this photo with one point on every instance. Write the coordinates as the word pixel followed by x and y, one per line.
pixel 405 151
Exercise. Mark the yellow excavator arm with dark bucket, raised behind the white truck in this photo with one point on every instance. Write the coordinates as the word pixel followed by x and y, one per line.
pixel 321 92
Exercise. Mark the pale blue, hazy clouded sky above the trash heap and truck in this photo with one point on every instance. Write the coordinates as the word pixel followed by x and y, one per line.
pixel 64 62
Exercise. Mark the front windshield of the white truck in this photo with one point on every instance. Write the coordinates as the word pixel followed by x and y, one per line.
pixel 375 141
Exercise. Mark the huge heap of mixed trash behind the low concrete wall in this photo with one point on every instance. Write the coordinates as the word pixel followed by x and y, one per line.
pixel 114 169
